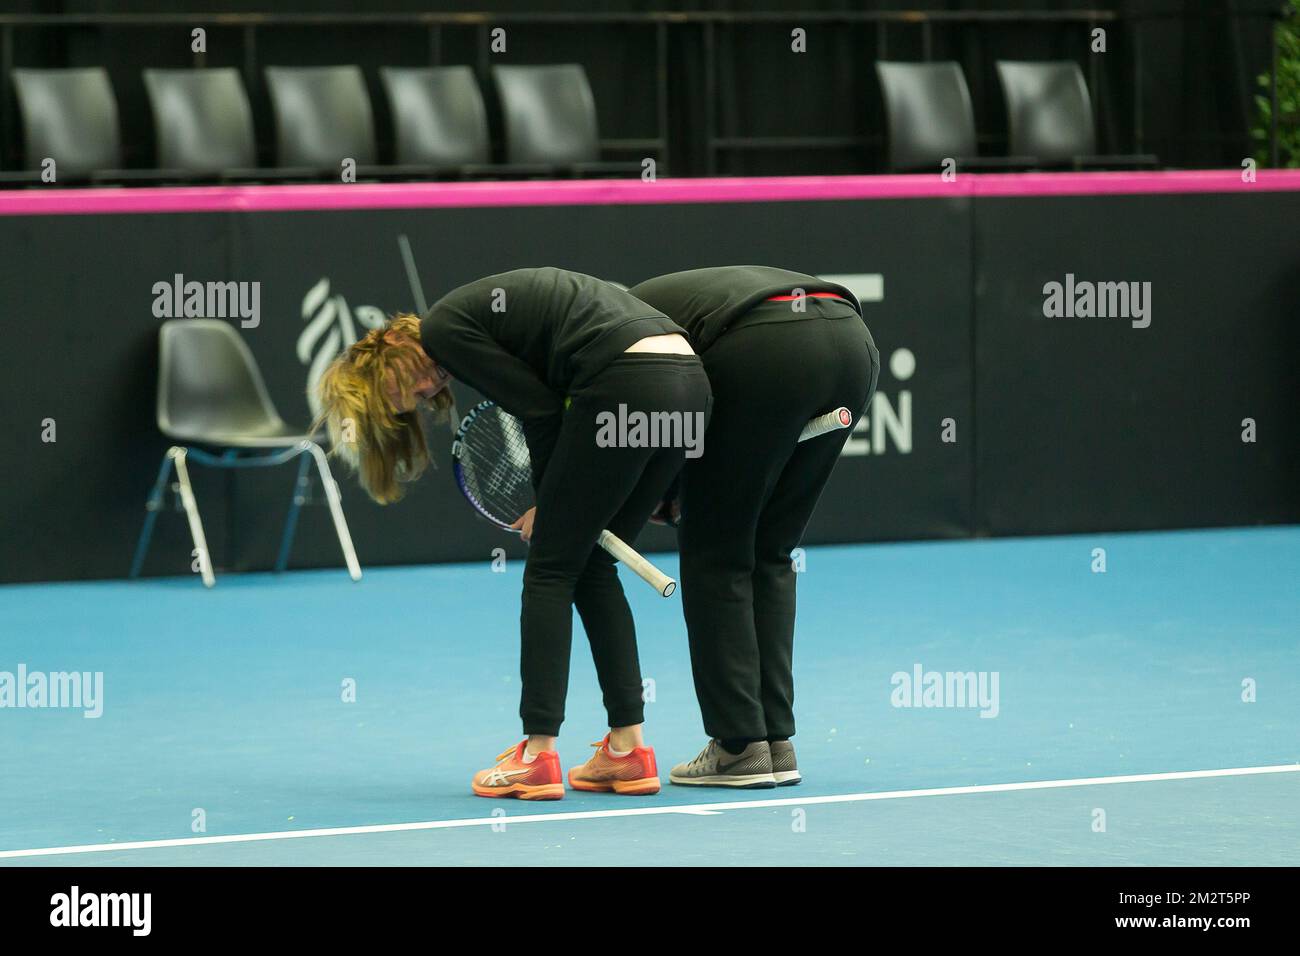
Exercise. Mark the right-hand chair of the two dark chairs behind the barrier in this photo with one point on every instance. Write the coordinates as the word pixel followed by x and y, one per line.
pixel 1050 116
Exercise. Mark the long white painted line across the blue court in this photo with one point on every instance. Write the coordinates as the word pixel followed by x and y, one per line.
pixel 695 810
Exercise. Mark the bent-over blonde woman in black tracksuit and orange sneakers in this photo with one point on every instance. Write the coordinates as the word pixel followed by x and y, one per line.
pixel 554 349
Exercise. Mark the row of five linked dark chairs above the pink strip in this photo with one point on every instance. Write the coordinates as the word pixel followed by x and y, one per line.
pixel 323 116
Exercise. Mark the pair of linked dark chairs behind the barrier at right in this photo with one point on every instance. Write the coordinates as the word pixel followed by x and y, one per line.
pixel 1050 118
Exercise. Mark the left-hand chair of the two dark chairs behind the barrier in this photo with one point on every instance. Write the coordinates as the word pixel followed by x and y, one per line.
pixel 931 119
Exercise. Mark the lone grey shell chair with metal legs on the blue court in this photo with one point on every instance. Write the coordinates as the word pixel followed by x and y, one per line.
pixel 211 393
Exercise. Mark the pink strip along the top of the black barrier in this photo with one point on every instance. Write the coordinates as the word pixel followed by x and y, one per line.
pixel 36 202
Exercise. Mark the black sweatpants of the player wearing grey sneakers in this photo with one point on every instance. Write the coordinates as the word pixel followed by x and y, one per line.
pixel 748 500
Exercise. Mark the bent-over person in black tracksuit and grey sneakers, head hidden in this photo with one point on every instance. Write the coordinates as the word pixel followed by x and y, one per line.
pixel 781 348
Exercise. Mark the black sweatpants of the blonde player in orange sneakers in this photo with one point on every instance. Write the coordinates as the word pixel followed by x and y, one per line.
pixel 586 490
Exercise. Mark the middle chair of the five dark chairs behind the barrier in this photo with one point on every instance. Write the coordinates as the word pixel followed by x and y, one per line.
pixel 323 116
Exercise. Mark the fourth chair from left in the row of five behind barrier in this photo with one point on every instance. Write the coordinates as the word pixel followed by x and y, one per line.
pixel 439 116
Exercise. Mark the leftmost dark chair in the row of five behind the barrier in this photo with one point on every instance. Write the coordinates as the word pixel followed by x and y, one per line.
pixel 71 116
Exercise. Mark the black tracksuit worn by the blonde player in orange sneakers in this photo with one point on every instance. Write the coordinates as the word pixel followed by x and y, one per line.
pixel 558 335
